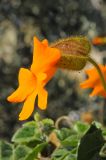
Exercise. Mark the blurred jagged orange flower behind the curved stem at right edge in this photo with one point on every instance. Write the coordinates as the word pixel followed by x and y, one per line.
pixel 94 81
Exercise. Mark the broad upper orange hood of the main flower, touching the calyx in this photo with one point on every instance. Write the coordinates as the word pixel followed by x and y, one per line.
pixel 43 56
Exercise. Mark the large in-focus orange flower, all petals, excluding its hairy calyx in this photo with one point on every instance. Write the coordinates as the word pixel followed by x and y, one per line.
pixel 32 81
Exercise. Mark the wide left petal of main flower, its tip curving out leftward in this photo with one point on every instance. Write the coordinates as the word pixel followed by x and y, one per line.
pixel 27 83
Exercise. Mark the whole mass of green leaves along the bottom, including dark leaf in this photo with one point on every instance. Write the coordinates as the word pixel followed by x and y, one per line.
pixel 41 140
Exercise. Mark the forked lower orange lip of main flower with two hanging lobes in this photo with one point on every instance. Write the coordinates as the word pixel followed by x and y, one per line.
pixel 29 102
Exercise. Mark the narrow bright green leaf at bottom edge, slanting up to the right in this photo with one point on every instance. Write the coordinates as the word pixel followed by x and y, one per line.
pixel 34 153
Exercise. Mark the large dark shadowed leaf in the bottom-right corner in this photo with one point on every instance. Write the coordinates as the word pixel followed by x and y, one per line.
pixel 90 144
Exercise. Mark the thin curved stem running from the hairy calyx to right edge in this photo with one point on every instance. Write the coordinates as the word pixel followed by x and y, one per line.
pixel 99 71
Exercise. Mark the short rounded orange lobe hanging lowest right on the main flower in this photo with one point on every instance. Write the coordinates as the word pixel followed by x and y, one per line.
pixel 42 99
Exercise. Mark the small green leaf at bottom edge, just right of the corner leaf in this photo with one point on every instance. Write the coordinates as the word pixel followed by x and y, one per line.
pixel 20 152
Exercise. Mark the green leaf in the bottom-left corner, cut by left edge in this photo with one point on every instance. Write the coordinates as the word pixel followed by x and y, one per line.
pixel 6 151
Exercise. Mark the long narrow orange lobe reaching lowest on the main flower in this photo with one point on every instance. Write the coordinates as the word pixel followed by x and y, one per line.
pixel 28 106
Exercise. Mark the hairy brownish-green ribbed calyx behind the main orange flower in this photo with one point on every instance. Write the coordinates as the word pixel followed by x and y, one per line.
pixel 74 52
